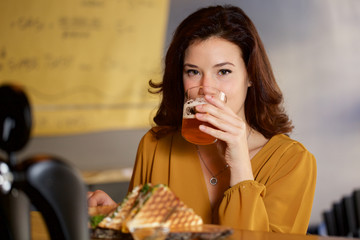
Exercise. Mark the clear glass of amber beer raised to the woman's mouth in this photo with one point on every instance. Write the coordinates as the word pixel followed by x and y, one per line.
pixel 190 125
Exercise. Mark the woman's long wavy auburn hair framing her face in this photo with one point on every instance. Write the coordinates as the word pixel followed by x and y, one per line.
pixel 263 104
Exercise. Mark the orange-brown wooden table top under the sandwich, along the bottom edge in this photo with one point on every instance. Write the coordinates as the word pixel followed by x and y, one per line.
pixel 39 232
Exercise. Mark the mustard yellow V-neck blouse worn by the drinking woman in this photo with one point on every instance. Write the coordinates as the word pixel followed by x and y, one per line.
pixel 279 199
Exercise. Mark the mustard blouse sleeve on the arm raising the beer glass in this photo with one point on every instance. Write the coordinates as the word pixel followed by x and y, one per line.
pixel 282 203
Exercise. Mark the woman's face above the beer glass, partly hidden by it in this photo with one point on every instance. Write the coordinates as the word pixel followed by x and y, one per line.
pixel 217 62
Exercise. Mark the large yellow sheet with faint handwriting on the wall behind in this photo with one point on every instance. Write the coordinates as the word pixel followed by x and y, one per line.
pixel 85 64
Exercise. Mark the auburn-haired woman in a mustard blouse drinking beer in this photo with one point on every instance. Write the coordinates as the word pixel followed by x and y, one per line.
pixel 265 180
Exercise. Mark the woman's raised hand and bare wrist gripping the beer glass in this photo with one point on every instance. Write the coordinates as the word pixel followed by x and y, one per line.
pixel 231 130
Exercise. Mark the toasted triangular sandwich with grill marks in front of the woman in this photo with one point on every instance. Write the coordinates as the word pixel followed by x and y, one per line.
pixel 149 206
